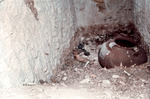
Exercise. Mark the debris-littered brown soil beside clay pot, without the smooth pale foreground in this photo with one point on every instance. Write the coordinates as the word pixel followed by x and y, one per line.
pixel 116 83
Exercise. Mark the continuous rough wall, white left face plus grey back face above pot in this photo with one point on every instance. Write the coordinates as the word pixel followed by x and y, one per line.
pixel 34 33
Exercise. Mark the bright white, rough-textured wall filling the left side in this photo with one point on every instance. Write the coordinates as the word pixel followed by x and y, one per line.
pixel 30 48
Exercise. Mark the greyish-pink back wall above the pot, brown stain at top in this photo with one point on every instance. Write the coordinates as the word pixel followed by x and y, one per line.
pixel 93 12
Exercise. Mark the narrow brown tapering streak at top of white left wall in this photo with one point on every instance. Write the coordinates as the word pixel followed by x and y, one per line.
pixel 30 4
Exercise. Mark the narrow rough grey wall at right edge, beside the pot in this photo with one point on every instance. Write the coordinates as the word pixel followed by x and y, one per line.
pixel 141 14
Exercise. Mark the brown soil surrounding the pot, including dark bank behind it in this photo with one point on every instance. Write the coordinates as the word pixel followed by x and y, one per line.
pixel 81 68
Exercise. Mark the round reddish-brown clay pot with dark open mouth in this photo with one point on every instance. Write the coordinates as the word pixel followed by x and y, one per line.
pixel 121 51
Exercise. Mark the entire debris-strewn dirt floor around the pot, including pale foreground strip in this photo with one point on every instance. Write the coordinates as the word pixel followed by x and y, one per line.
pixel 83 78
